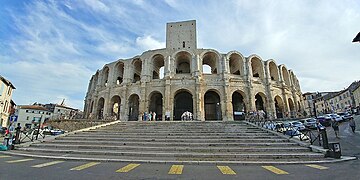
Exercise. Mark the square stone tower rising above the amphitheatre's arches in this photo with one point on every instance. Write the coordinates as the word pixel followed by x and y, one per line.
pixel 180 35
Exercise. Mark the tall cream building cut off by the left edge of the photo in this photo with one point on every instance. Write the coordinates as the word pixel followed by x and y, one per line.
pixel 6 103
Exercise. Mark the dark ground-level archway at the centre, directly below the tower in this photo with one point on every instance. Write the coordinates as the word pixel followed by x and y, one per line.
pixel 183 102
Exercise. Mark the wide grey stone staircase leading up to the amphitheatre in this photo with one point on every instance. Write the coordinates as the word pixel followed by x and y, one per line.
pixel 180 142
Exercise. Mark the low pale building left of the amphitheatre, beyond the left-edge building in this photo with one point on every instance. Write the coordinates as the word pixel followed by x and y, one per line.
pixel 30 114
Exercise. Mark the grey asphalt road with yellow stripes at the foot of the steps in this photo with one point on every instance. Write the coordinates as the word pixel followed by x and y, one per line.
pixel 12 169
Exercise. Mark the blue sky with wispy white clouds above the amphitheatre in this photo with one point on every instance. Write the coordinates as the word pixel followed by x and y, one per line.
pixel 50 49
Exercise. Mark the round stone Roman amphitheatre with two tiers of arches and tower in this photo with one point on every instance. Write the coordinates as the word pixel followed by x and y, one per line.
pixel 182 77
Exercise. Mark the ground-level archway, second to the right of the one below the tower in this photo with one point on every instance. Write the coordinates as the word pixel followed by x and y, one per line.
pixel 238 104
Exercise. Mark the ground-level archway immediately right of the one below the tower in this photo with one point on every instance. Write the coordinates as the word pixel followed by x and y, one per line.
pixel 212 106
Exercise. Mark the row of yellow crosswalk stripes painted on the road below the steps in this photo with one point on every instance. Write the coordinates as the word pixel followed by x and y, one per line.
pixel 175 169
